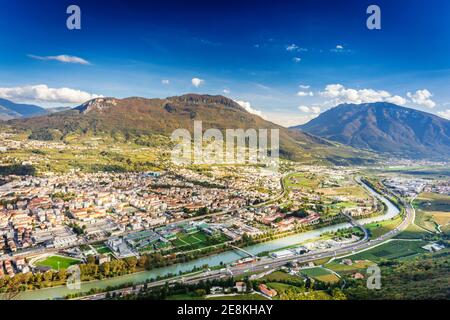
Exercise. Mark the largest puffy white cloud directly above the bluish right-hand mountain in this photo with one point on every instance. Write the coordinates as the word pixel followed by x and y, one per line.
pixel 340 94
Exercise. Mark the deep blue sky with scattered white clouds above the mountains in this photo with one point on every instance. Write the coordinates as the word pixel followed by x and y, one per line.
pixel 287 61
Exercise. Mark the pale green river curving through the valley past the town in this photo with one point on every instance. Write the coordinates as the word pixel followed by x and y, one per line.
pixel 214 260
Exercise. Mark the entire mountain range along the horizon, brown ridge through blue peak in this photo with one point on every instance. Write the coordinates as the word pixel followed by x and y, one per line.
pixel 345 134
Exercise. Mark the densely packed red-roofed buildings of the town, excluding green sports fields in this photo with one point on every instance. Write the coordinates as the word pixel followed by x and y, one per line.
pixel 60 211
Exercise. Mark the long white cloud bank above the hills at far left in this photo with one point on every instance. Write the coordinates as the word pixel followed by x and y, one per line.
pixel 43 94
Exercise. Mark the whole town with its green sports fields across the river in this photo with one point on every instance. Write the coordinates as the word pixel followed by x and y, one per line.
pixel 120 215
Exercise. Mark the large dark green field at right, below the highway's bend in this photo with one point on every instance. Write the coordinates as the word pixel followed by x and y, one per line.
pixel 395 249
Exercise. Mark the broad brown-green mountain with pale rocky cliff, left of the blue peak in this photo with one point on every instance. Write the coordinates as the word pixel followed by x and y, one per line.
pixel 136 119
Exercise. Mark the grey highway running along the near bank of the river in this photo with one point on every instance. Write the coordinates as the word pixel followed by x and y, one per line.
pixel 271 263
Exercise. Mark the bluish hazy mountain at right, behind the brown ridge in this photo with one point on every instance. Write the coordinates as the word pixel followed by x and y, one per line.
pixel 384 128
